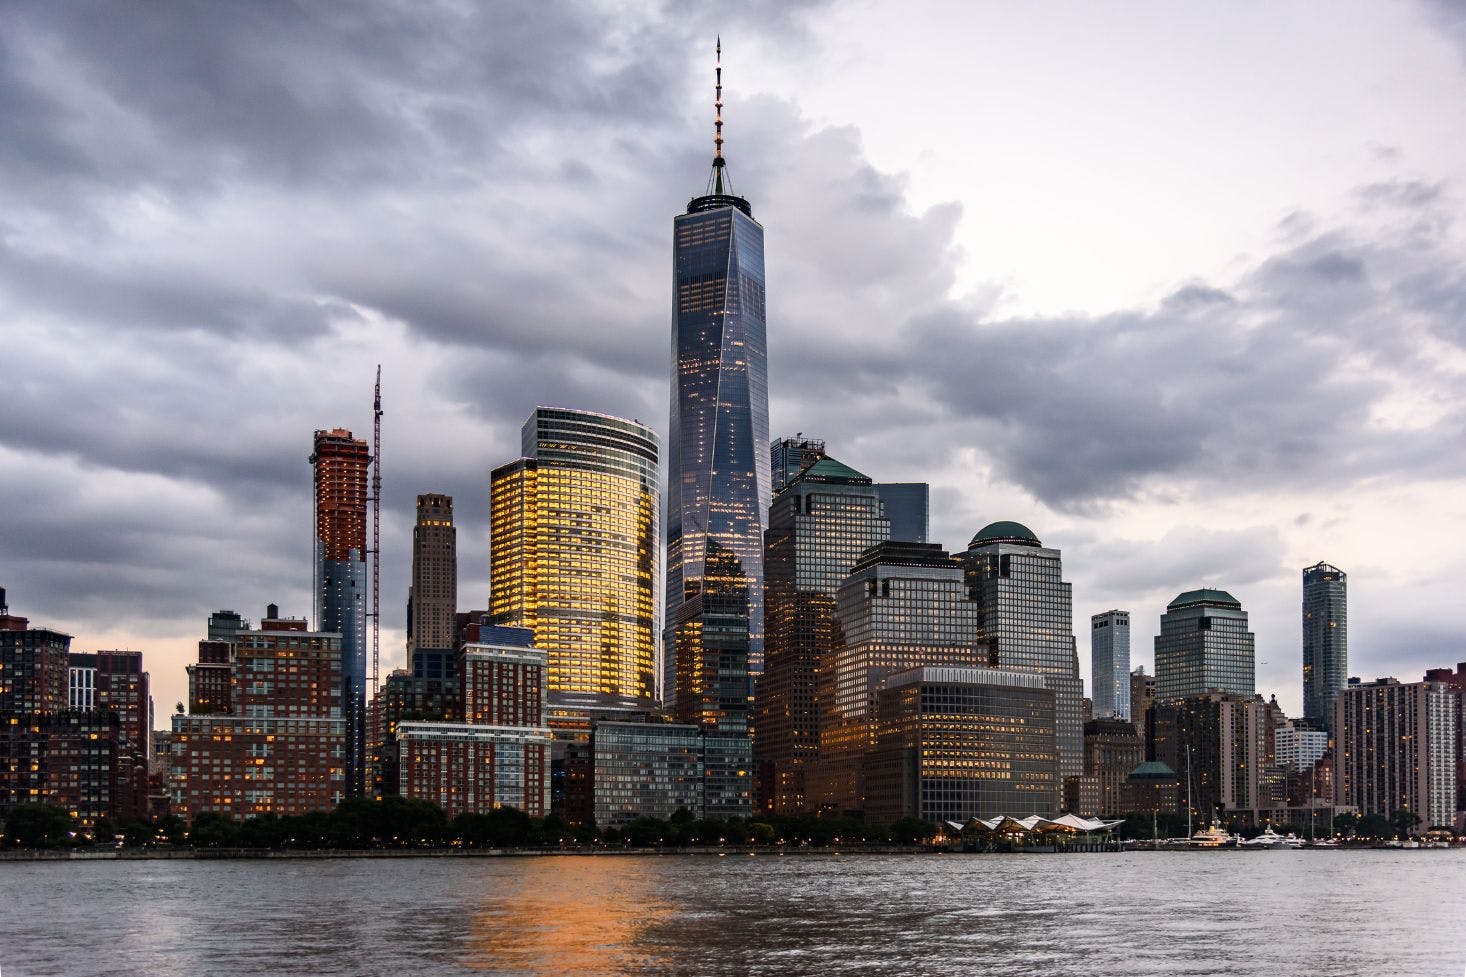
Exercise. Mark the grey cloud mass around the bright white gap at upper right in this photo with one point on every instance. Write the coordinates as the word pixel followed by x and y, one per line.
pixel 218 221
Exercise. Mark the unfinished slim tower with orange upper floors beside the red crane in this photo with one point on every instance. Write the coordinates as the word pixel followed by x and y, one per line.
pixel 341 579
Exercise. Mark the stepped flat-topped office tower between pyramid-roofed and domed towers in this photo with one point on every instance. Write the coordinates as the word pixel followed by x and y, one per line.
pixel 904 607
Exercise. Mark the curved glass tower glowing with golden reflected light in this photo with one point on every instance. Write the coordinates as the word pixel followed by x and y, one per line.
pixel 574 557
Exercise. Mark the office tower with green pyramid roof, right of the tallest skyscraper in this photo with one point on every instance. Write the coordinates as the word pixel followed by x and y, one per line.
pixel 820 524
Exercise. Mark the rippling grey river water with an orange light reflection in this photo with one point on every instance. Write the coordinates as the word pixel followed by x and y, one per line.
pixel 1259 915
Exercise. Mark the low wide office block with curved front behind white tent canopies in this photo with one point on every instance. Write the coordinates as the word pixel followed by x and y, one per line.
pixel 959 743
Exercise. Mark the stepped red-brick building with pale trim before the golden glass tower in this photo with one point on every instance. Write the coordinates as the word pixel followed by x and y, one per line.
pixel 499 755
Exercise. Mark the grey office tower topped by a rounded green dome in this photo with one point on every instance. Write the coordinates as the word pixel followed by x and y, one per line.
pixel 1027 623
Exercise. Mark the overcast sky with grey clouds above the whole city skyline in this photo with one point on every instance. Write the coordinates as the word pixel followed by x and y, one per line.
pixel 1179 287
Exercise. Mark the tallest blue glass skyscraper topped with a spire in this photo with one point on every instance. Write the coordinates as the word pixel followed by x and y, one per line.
pixel 718 482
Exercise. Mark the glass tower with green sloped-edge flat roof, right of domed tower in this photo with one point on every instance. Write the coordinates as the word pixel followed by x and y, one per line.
pixel 1204 648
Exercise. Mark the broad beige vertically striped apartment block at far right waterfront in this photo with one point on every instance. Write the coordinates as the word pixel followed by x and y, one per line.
pixel 1395 749
